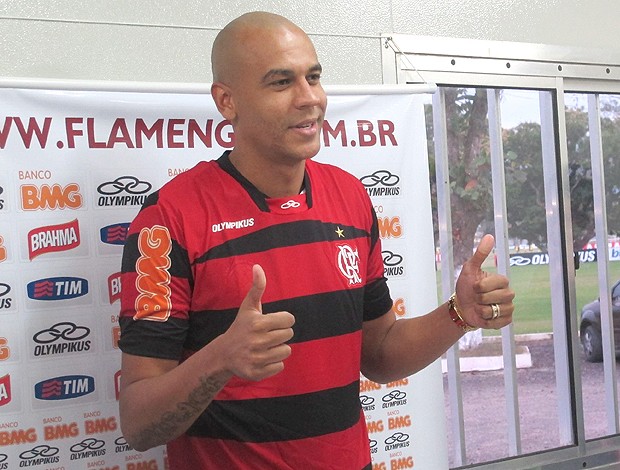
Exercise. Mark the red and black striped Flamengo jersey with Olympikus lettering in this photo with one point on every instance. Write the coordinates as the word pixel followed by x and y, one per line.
pixel 187 265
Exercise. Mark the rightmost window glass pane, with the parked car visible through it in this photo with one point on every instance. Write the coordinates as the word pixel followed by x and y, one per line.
pixel 583 214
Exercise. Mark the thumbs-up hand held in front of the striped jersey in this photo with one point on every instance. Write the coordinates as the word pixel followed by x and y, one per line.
pixel 255 343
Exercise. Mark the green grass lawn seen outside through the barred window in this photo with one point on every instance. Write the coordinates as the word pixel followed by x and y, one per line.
pixel 533 295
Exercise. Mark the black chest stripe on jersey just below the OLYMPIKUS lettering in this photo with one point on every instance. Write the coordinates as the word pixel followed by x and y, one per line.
pixel 287 234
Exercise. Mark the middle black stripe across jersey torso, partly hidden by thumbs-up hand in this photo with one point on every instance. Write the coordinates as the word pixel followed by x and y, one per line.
pixel 314 316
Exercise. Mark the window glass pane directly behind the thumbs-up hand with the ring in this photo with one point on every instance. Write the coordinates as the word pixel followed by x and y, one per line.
pixel 472 214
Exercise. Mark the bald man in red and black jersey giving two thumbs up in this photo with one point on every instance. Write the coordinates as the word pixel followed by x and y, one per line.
pixel 242 339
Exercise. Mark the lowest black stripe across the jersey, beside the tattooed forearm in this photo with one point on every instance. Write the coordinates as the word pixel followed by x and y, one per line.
pixel 280 418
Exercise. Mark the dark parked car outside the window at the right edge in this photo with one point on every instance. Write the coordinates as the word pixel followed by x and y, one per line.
pixel 590 326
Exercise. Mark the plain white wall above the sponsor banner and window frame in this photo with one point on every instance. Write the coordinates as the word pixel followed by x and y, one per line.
pixel 170 40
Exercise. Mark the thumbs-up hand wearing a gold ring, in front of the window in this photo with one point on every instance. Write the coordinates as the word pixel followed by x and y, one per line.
pixel 485 299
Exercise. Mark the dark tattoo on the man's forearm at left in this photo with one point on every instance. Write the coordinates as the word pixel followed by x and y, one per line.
pixel 197 400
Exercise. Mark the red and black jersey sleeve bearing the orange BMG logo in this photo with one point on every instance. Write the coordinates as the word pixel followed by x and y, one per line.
pixel 156 285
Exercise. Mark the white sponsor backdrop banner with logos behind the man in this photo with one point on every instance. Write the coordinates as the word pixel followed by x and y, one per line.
pixel 76 167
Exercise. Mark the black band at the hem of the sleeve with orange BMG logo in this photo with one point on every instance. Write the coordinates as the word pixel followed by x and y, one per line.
pixel 153 339
